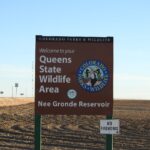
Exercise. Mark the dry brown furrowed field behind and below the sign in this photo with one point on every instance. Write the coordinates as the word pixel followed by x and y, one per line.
pixel 73 132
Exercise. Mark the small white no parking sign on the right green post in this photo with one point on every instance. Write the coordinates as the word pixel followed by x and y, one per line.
pixel 110 126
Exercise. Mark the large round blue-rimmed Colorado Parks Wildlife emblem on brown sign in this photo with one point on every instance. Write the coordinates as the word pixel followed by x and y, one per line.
pixel 92 75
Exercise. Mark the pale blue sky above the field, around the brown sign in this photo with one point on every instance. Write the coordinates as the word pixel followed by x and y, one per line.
pixel 127 21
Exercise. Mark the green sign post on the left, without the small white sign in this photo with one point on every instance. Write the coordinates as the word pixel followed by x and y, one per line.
pixel 37 132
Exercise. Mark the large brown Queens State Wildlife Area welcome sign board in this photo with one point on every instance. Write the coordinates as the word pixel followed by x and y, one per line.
pixel 74 75
